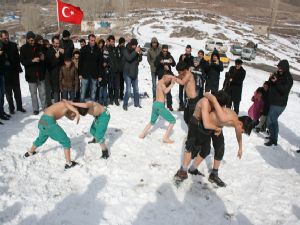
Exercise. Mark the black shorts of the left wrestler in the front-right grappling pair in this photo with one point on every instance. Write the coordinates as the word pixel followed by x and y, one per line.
pixel 198 138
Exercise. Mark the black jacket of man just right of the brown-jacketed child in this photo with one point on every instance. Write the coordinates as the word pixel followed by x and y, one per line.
pixel 90 62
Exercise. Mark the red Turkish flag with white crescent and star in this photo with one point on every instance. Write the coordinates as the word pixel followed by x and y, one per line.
pixel 69 13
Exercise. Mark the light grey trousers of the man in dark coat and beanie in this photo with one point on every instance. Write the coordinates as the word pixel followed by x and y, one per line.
pixel 34 88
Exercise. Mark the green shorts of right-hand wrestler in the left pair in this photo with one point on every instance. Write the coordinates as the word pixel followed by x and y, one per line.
pixel 99 126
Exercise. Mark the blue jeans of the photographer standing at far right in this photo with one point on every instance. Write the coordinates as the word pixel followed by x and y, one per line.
pixel 272 121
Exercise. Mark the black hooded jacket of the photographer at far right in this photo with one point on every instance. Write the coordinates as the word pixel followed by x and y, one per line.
pixel 280 89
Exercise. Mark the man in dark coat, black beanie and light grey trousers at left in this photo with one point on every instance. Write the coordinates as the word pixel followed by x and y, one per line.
pixel 32 58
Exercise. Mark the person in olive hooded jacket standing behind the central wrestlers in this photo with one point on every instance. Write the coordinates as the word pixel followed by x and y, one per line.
pixel 152 53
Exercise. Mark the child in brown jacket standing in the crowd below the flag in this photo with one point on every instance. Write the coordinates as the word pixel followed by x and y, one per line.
pixel 68 80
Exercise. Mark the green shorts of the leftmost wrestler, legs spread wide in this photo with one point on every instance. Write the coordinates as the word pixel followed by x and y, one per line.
pixel 48 127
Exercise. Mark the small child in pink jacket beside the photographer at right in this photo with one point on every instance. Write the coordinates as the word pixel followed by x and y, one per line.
pixel 255 111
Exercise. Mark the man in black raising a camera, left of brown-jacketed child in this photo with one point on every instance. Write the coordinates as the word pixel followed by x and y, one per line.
pixel 55 60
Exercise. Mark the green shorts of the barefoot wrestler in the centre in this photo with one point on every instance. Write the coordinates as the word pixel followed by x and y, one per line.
pixel 159 109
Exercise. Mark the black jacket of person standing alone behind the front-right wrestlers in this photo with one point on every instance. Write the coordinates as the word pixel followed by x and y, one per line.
pixel 234 88
